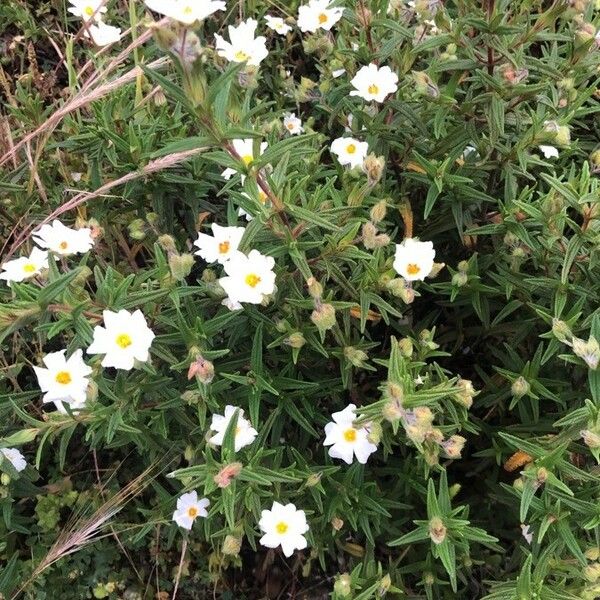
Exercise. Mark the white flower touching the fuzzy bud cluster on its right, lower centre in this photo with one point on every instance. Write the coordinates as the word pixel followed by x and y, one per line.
pixel 345 439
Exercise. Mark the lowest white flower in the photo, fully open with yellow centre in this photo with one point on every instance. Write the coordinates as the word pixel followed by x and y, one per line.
pixel 283 526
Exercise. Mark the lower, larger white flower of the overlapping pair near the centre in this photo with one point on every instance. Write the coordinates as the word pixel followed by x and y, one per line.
pixel 249 278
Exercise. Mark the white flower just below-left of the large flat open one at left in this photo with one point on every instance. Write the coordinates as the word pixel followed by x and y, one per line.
pixel 64 381
